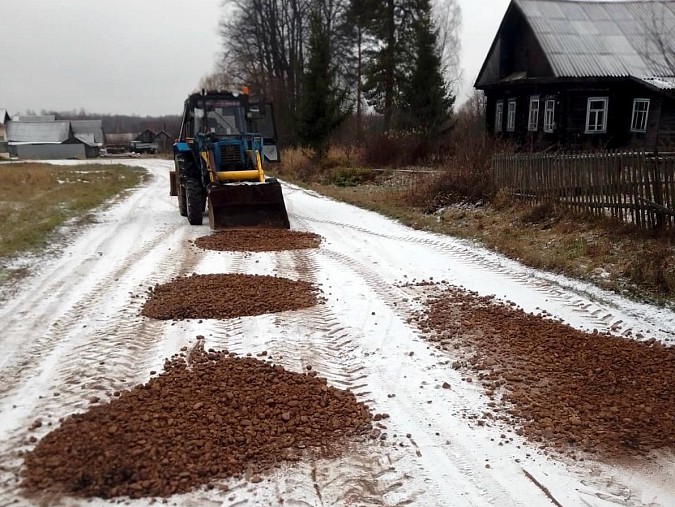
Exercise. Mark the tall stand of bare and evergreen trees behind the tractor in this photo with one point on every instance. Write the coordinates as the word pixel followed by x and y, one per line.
pixel 331 66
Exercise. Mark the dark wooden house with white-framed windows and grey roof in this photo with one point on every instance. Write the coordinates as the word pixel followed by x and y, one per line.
pixel 583 75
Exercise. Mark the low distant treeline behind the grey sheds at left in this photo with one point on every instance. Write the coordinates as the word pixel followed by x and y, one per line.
pixel 122 124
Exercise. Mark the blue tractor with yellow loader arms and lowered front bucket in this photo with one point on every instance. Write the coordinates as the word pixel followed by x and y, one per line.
pixel 224 141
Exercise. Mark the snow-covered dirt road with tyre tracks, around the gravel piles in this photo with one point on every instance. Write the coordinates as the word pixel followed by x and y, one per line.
pixel 74 331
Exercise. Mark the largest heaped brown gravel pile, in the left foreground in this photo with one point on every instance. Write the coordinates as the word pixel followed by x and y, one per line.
pixel 210 416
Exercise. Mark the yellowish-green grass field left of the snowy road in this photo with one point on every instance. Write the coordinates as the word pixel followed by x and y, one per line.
pixel 37 198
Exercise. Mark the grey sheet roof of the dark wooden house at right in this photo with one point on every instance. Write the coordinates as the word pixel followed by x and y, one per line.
pixel 601 39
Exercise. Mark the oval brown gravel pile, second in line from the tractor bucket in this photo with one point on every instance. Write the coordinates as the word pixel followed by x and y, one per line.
pixel 227 296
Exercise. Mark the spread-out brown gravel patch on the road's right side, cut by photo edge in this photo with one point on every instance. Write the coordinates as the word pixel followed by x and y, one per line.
pixel 579 391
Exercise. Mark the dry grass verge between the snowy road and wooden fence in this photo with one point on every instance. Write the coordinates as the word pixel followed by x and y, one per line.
pixel 612 256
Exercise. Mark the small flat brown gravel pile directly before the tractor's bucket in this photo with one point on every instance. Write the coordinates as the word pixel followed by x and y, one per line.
pixel 258 240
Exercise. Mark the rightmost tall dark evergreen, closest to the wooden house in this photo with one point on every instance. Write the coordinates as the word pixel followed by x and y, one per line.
pixel 426 101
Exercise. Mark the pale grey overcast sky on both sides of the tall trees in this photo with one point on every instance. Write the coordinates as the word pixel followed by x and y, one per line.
pixel 142 56
